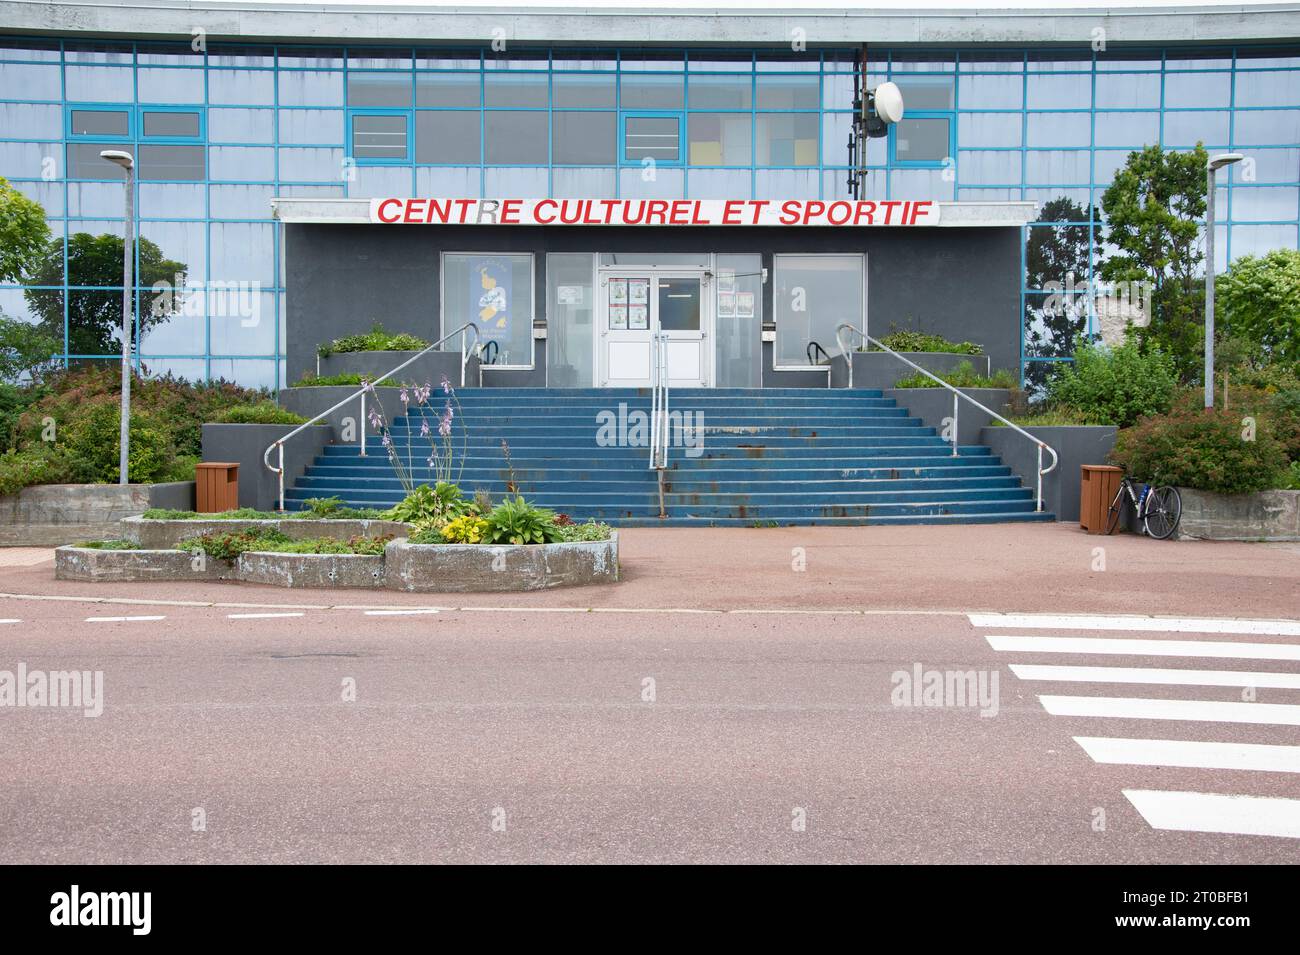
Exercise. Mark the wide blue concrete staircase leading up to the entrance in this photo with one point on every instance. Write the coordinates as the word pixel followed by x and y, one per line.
pixel 785 457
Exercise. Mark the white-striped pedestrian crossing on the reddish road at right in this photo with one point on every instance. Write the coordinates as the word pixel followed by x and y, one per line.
pixel 1163 713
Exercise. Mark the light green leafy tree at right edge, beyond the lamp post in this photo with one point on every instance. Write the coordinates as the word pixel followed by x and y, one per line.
pixel 1258 299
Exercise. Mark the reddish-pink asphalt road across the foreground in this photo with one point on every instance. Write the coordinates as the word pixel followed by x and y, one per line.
pixel 522 732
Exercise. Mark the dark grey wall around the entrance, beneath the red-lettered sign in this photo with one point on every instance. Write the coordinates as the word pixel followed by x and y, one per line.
pixel 963 284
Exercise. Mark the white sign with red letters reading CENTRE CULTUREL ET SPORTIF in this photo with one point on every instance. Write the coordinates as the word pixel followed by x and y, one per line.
pixel 656 212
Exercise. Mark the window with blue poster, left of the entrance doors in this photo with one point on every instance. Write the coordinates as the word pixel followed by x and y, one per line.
pixel 496 293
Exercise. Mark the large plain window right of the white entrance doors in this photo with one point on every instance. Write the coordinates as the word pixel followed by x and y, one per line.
pixel 812 296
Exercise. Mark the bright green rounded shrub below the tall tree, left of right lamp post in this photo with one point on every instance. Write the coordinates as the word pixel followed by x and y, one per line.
pixel 1115 387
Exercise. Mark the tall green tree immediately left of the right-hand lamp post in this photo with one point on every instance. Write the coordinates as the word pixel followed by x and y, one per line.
pixel 1155 210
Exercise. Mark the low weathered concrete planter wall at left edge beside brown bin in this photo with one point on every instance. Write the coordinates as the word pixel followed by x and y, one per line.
pixel 53 515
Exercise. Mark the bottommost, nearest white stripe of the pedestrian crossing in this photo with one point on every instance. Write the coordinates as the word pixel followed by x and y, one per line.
pixel 1215 813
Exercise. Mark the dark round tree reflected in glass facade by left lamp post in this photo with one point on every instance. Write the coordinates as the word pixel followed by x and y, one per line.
pixel 96 316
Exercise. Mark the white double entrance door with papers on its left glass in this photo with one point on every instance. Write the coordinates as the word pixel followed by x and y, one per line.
pixel 638 305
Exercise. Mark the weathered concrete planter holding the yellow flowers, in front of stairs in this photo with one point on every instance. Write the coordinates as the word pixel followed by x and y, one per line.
pixel 463 568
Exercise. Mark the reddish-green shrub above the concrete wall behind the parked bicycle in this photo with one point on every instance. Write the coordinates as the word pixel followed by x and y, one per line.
pixel 1203 450
